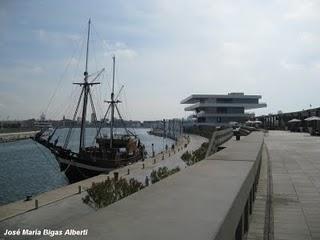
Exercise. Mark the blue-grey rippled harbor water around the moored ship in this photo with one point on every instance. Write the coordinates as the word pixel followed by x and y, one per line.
pixel 27 168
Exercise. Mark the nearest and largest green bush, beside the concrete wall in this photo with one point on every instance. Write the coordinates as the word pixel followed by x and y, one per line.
pixel 104 193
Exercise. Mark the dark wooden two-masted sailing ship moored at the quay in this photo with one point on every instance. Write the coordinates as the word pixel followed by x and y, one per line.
pixel 109 152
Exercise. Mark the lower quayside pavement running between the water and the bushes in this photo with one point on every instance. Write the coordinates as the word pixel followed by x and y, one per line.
pixel 64 205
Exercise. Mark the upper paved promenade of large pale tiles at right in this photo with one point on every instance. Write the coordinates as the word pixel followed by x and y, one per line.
pixel 295 166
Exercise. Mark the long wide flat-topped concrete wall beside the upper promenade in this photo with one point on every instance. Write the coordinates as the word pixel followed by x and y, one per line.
pixel 210 200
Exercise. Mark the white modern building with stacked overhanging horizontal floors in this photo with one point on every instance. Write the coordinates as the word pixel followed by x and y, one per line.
pixel 217 110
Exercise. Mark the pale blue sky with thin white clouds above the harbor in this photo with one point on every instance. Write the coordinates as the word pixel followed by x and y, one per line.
pixel 165 51
